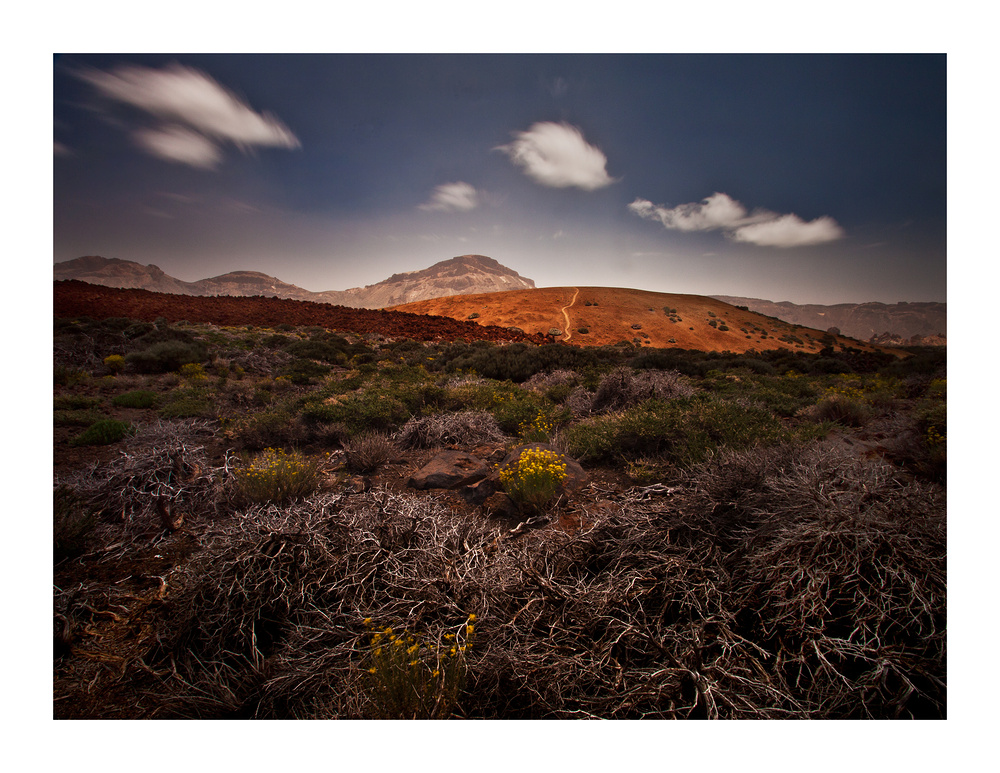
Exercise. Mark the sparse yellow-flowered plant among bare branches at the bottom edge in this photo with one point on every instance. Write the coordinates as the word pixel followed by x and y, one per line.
pixel 408 677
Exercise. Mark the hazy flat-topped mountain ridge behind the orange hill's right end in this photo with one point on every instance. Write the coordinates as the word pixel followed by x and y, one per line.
pixel 858 320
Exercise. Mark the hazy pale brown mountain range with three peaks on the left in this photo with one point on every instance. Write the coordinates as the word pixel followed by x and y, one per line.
pixel 464 274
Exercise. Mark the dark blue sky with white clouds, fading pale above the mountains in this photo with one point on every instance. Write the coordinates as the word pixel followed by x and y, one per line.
pixel 810 178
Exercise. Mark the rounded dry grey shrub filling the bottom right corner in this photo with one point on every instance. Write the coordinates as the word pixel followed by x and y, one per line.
pixel 842 570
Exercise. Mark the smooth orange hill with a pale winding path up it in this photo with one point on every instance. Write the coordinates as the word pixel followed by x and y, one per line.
pixel 595 316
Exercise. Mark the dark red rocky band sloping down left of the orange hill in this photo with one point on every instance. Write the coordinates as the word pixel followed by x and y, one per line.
pixel 78 299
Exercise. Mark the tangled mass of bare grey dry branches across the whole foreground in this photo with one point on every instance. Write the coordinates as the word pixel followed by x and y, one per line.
pixel 826 601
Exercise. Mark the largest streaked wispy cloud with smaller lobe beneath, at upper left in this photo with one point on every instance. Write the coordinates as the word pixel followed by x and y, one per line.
pixel 195 114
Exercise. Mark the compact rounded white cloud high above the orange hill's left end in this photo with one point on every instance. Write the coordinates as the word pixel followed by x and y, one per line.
pixel 557 155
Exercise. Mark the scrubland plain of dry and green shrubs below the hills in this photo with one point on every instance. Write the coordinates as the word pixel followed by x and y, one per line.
pixel 762 536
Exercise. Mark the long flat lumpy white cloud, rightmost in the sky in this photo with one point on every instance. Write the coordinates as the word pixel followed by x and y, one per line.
pixel 761 227
